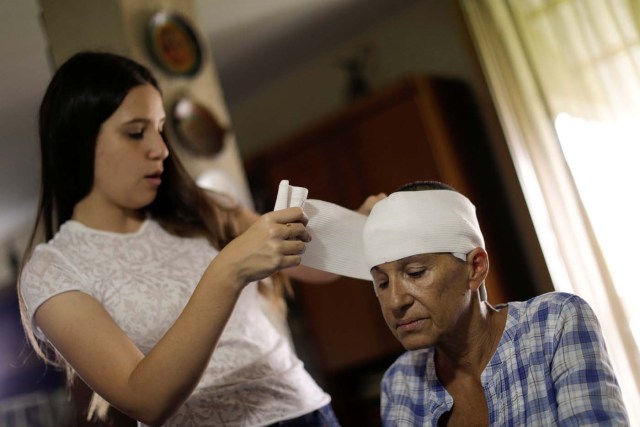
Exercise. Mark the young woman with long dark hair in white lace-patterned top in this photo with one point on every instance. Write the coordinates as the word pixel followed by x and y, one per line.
pixel 149 288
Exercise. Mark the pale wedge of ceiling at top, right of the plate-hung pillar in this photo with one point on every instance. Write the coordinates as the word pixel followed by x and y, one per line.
pixel 253 42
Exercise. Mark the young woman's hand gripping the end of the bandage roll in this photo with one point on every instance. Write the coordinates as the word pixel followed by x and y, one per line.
pixel 275 241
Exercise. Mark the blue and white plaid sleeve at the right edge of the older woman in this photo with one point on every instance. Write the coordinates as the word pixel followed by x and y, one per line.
pixel 587 392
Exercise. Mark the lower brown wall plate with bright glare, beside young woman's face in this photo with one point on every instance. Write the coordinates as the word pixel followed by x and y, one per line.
pixel 196 128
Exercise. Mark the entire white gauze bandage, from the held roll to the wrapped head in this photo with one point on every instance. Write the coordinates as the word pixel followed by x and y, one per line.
pixel 404 224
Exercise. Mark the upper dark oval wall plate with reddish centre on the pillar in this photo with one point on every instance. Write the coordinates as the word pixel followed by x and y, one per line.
pixel 173 44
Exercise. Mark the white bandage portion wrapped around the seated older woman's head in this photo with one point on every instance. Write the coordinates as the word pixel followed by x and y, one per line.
pixel 416 222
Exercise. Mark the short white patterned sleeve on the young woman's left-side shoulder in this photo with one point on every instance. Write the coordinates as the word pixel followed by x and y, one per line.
pixel 47 274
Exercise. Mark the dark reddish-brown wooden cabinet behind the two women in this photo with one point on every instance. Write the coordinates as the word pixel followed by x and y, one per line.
pixel 417 129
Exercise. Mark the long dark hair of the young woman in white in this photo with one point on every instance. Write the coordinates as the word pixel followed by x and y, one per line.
pixel 83 93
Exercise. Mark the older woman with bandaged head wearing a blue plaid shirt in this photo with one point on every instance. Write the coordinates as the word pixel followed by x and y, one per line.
pixel 539 362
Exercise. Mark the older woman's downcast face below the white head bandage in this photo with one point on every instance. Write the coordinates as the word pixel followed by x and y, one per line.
pixel 423 298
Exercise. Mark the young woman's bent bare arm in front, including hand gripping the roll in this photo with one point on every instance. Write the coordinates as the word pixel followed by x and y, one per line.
pixel 150 388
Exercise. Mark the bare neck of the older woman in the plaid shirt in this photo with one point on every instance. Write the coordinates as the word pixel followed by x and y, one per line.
pixel 475 343
